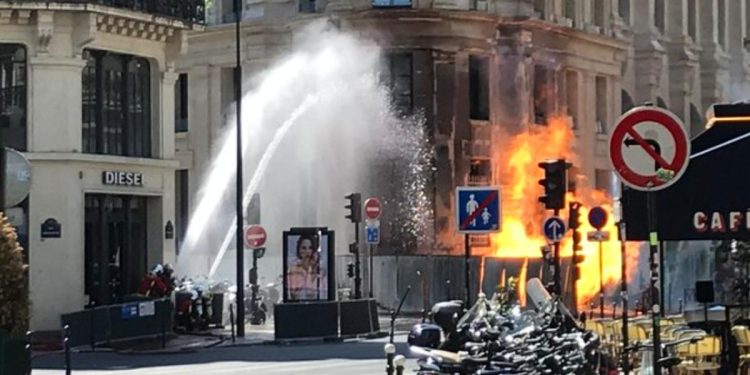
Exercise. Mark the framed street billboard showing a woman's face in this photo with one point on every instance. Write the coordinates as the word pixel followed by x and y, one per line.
pixel 307 261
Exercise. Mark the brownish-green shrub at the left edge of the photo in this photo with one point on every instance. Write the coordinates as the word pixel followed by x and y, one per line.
pixel 14 295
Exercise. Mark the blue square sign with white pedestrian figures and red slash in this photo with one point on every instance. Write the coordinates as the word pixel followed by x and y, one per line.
pixel 478 209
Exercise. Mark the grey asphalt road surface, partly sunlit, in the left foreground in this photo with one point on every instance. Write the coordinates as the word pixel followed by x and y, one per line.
pixel 352 357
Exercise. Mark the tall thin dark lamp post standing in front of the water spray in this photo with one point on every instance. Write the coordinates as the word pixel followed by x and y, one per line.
pixel 240 245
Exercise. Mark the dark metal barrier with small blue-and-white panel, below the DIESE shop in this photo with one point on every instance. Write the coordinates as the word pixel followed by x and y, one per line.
pixel 104 324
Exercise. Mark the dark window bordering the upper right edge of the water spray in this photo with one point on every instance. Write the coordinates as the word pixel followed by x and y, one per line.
pixel 398 77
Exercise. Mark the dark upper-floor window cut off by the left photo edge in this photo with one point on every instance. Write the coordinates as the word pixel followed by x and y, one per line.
pixel 13 95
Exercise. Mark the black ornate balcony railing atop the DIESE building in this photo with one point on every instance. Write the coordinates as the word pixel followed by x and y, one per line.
pixel 191 11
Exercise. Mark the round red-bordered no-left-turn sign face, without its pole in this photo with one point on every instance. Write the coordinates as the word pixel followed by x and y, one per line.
pixel 637 133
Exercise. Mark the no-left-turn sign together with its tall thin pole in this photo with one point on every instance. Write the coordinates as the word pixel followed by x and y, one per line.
pixel 649 151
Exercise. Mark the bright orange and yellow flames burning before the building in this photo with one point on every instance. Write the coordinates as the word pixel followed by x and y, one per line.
pixel 518 174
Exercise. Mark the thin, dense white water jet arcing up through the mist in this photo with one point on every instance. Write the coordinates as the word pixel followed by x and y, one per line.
pixel 259 172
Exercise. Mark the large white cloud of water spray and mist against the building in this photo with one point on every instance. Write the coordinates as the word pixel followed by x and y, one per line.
pixel 315 128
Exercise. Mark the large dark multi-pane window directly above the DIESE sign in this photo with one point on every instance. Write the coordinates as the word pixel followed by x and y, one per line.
pixel 116 100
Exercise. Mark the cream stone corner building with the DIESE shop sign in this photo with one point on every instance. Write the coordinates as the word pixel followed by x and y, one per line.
pixel 87 95
